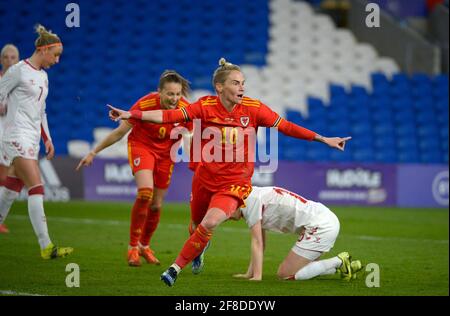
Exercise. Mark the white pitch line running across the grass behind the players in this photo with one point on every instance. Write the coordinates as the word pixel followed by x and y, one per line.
pixel 90 221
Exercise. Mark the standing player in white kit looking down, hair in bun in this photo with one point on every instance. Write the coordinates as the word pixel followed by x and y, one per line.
pixel 24 89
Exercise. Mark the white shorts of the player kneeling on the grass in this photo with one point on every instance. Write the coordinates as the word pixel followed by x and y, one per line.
pixel 318 237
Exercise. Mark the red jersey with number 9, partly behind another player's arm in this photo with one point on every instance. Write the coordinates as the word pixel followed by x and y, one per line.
pixel 155 136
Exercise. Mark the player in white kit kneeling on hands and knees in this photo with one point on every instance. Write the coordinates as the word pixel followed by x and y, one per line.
pixel 279 210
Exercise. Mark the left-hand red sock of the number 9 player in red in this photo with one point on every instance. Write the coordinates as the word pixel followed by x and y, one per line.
pixel 138 214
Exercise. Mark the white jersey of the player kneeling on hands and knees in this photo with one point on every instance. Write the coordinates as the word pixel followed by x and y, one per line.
pixel 281 210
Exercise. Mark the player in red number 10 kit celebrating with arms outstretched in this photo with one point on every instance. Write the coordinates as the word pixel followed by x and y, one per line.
pixel 220 186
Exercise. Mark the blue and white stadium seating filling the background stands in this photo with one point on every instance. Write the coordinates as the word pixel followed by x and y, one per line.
pixel 295 60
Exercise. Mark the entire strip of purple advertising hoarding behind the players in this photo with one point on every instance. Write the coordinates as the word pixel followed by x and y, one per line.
pixel 330 183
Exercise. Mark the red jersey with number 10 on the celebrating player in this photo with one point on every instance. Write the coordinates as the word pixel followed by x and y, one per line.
pixel 227 137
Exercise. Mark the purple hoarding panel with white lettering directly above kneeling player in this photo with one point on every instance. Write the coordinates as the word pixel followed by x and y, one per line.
pixel 340 184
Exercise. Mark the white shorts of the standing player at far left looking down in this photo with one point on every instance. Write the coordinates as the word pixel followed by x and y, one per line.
pixel 19 148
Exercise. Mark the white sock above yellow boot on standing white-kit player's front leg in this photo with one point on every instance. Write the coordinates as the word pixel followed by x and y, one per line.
pixel 38 219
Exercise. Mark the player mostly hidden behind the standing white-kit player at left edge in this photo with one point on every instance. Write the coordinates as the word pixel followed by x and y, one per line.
pixel 9 56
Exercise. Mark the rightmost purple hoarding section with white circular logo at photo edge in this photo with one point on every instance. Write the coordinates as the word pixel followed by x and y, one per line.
pixel 422 186
